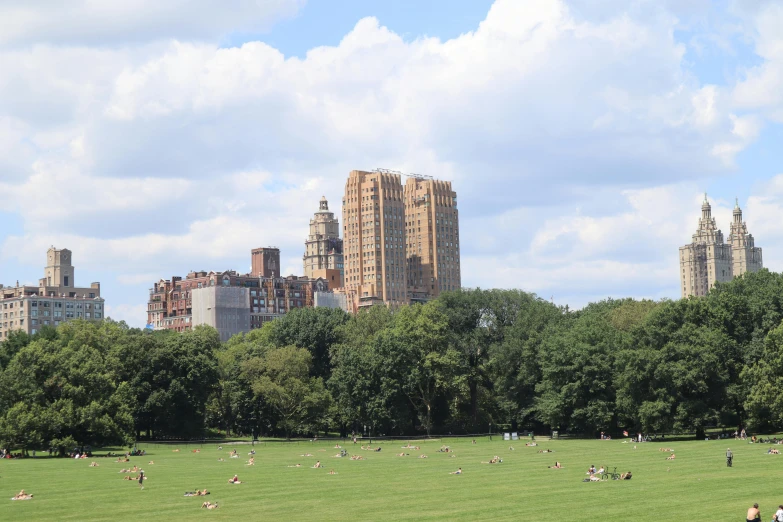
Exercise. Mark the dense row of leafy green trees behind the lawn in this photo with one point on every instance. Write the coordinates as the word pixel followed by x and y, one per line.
pixel 456 364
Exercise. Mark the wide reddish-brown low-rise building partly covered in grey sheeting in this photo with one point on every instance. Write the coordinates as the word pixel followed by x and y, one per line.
pixel 177 303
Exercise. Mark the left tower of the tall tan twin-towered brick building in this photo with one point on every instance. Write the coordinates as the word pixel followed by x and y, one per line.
pixel 374 237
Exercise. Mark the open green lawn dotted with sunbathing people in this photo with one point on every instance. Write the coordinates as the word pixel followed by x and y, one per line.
pixel 696 486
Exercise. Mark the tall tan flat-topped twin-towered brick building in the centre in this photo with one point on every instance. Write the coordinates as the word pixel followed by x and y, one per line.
pixel 400 243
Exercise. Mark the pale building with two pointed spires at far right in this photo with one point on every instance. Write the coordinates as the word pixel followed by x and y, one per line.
pixel 708 259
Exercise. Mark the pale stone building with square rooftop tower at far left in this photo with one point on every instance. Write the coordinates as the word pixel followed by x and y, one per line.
pixel 53 301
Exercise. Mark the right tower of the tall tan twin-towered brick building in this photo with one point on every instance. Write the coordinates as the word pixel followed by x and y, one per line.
pixel 432 237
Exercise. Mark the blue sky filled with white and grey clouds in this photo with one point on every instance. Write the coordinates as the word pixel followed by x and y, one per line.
pixel 155 138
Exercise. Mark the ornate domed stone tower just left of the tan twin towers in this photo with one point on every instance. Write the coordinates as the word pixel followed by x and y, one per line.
pixel 324 249
